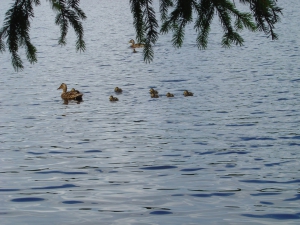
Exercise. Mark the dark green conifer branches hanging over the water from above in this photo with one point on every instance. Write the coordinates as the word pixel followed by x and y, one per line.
pixel 174 15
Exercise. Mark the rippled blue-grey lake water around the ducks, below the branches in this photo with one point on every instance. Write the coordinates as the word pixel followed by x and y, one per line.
pixel 227 155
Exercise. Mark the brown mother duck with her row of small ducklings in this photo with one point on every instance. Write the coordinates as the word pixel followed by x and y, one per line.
pixel 77 95
